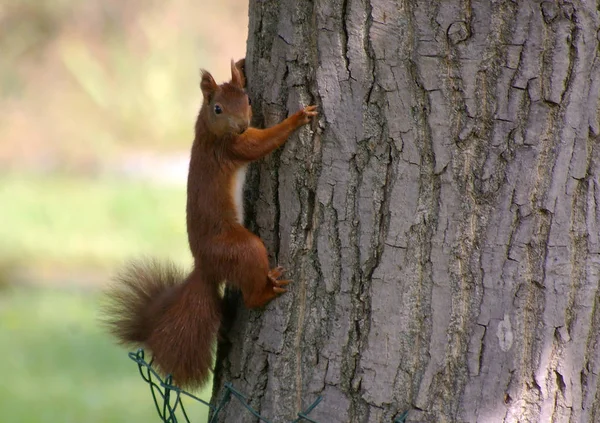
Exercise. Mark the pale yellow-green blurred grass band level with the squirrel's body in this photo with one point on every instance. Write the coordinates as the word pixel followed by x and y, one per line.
pixel 60 222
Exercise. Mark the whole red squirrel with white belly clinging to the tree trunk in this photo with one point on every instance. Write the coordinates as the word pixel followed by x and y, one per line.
pixel 176 316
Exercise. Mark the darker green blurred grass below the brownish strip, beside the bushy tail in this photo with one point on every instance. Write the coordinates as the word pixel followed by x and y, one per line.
pixel 58 366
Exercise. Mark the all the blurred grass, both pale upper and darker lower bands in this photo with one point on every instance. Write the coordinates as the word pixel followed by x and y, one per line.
pixel 57 364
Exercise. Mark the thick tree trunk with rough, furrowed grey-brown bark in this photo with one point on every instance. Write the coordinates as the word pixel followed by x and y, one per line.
pixel 440 223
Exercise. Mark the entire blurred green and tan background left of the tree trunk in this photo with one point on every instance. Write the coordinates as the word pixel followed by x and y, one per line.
pixel 97 106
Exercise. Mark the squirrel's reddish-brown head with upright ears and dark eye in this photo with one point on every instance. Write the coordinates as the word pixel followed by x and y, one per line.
pixel 226 108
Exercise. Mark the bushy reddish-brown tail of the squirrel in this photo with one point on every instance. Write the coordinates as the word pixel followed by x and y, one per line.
pixel 175 317
